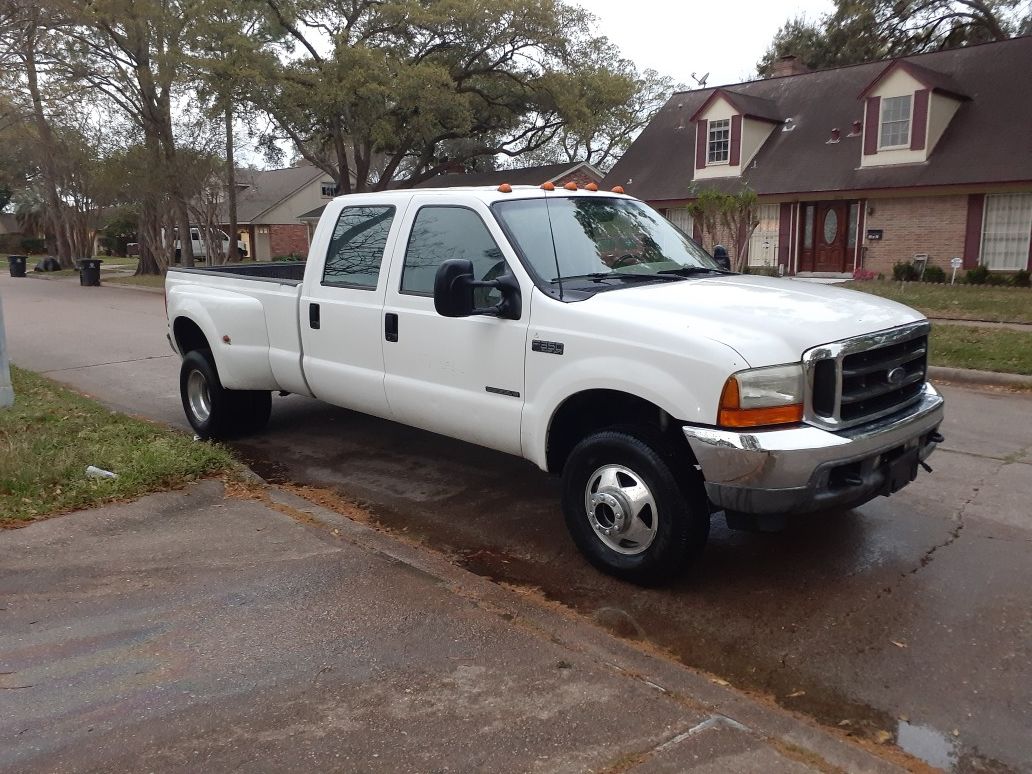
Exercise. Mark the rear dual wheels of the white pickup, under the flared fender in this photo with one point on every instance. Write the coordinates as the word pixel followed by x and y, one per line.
pixel 213 411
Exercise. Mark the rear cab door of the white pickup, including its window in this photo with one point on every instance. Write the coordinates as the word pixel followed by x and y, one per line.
pixel 342 309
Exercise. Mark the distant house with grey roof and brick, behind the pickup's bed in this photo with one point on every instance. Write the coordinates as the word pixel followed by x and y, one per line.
pixel 270 203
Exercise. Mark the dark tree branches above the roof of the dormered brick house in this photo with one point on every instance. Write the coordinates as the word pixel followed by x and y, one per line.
pixel 868 30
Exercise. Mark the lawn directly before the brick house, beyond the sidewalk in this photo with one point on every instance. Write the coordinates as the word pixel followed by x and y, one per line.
pixel 960 302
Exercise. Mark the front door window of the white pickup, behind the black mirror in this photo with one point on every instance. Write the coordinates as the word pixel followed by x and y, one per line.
pixel 443 233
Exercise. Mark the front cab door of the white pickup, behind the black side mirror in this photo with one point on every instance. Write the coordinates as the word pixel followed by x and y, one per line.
pixel 460 377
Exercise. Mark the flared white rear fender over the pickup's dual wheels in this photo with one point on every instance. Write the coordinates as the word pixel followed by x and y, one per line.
pixel 244 360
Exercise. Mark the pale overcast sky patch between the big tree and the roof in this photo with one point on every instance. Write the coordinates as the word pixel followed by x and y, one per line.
pixel 679 38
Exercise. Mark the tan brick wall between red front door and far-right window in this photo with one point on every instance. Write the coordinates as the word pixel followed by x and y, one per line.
pixel 928 224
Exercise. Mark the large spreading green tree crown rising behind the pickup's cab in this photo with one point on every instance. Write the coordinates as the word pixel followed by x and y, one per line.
pixel 374 92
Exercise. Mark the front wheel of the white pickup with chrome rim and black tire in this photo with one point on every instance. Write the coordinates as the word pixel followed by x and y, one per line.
pixel 625 481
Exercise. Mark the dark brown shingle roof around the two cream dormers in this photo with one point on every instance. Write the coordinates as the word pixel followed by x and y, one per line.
pixel 660 166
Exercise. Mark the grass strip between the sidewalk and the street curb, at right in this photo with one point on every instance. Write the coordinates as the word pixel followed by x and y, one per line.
pixel 985 349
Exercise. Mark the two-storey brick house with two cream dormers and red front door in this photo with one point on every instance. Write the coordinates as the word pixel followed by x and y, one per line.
pixel 859 167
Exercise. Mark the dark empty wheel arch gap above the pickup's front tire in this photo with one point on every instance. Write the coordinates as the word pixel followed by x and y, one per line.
pixel 592 411
